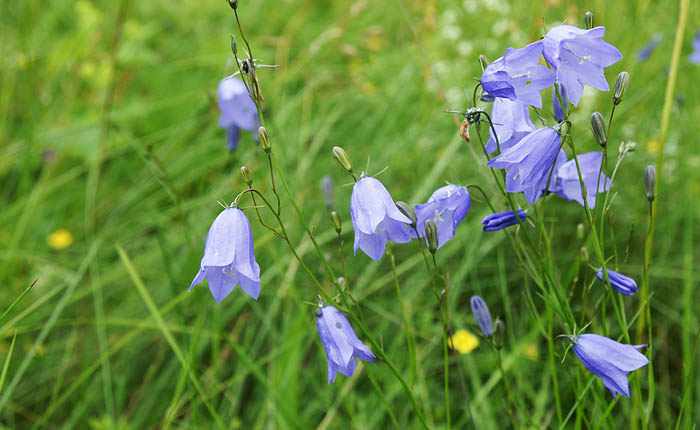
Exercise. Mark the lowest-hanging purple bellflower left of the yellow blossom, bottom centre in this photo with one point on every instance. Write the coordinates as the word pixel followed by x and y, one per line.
pixel 340 343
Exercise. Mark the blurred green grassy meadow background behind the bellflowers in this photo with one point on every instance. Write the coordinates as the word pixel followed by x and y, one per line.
pixel 108 135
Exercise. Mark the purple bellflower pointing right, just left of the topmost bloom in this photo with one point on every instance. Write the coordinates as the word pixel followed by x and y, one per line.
pixel 518 76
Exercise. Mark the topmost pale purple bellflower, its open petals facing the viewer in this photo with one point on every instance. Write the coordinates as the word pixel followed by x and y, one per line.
pixel 579 57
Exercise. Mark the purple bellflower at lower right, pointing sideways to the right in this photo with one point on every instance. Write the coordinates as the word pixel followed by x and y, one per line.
pixel 609 360
